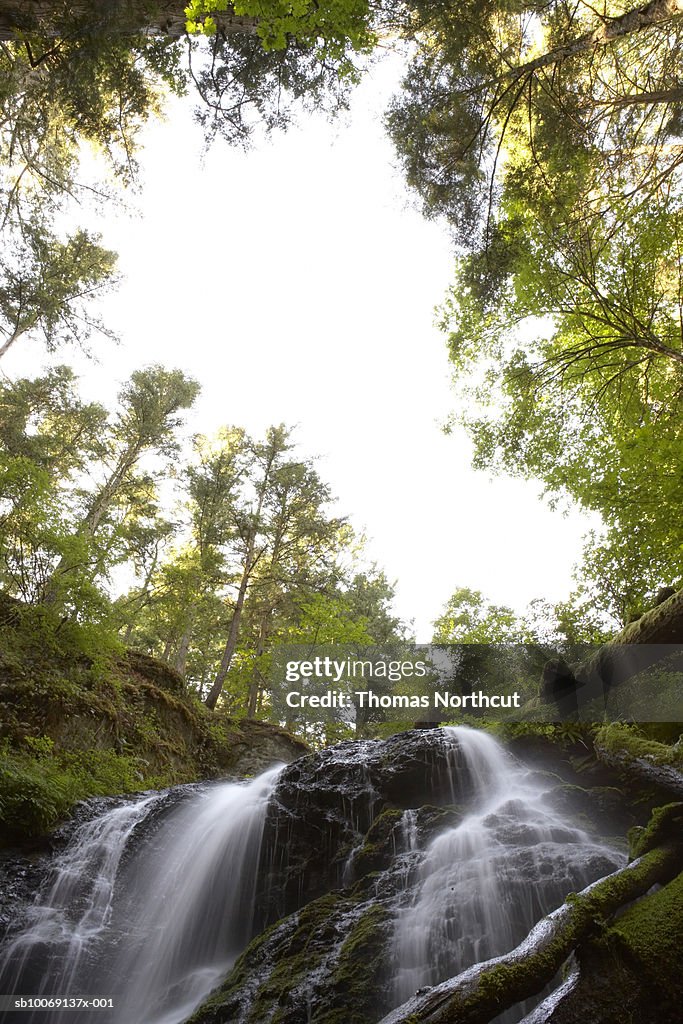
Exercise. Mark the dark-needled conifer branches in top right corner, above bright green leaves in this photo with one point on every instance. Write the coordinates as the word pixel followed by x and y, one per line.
pixel 581 89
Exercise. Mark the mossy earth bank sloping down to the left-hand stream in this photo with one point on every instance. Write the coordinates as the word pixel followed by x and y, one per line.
pixel 77 722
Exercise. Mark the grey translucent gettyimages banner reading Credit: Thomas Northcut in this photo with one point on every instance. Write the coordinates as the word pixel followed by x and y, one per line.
pixel 436 682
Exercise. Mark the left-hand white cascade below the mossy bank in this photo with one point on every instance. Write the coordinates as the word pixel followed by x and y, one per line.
pixel 150 906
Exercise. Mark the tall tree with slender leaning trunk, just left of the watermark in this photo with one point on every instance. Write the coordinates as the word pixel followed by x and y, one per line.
pixel 257 546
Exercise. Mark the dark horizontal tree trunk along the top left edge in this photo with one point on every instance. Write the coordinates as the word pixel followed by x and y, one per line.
pixel 163 18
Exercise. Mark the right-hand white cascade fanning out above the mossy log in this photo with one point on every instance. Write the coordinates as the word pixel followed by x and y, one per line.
pixel 485 883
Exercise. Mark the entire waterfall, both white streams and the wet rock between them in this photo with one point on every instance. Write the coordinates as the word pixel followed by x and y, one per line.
pixel 154 898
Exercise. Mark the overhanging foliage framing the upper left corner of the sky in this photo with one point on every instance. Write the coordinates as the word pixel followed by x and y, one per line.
pixel 73 75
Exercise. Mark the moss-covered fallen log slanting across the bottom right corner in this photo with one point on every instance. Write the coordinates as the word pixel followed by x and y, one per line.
pixel 485 991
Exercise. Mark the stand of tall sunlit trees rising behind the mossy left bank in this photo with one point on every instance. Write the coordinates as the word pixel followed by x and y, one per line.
pixel 244 552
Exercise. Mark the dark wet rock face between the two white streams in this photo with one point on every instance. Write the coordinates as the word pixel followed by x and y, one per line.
pixel 326 803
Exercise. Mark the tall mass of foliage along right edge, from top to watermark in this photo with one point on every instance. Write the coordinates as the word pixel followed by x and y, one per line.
pixel 549 137
